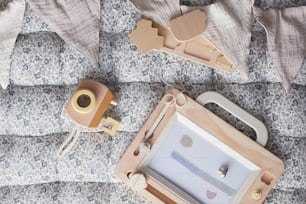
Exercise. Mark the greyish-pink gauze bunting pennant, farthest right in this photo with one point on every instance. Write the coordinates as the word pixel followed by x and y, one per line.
pixel 286 34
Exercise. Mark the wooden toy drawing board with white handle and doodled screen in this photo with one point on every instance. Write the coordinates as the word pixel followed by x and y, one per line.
pixel 186 154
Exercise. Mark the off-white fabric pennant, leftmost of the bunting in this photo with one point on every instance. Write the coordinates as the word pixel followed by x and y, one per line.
pixel 10 25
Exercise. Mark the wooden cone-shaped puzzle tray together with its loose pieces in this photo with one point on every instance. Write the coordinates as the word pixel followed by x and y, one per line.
pixel 198 48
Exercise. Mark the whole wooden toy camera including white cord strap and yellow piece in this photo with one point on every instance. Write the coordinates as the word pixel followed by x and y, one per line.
pixel 86 108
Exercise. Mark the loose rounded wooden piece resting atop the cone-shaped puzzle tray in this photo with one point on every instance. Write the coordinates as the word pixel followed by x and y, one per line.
pixel 188 26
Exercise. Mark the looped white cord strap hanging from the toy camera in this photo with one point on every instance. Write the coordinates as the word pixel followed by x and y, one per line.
pixel 69 142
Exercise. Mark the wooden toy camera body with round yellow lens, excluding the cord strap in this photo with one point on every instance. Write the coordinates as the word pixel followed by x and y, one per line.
pixel 89 103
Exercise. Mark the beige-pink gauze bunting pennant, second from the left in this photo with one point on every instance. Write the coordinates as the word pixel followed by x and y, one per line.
pixel 76 22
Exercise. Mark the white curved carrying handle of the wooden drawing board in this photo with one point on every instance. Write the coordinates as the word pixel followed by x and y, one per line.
pixel 257 125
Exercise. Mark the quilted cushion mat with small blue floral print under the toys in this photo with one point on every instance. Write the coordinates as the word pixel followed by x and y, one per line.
pixel 45 71
